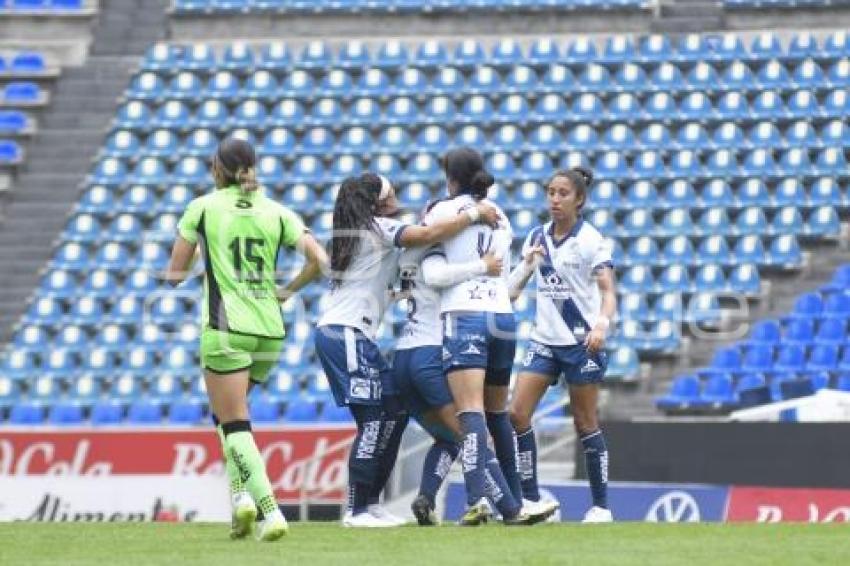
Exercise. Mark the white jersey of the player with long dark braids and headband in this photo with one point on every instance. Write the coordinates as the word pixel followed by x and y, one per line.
pixel 360 299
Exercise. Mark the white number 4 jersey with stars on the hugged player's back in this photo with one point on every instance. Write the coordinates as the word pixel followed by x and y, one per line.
pixel 483 293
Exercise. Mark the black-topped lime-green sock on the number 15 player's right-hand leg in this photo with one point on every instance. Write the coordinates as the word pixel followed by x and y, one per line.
pixel 249 464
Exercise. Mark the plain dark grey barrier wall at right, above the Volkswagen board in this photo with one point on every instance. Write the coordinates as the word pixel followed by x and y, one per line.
pixel 806 455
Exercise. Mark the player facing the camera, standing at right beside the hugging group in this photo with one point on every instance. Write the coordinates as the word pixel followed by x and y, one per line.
pixel 576 300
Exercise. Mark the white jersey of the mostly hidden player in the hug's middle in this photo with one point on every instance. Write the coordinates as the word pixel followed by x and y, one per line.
pixel 423 326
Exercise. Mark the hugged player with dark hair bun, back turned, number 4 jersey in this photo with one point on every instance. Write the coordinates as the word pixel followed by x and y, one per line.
pixel 479 341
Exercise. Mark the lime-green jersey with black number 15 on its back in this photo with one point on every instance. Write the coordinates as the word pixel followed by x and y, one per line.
pixel 241 235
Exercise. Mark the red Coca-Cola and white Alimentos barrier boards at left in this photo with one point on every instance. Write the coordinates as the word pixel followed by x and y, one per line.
pixel 130 468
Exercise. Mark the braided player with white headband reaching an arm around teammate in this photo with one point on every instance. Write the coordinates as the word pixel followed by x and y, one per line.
pixel 364 262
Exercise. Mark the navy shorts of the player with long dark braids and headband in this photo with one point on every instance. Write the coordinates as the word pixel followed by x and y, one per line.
pixel 357 372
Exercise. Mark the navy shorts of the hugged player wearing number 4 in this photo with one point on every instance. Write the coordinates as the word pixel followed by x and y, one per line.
pixel 480 340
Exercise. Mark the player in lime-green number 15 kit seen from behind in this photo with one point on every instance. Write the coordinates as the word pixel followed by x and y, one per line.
pixel 241 233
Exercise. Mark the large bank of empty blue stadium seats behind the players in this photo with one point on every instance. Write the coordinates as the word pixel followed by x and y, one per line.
pixel 716 160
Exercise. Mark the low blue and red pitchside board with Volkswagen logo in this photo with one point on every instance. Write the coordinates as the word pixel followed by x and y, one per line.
pixel 683 503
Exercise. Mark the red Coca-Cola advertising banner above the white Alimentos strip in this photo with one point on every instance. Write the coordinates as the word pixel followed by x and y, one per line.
pixel 300 461
